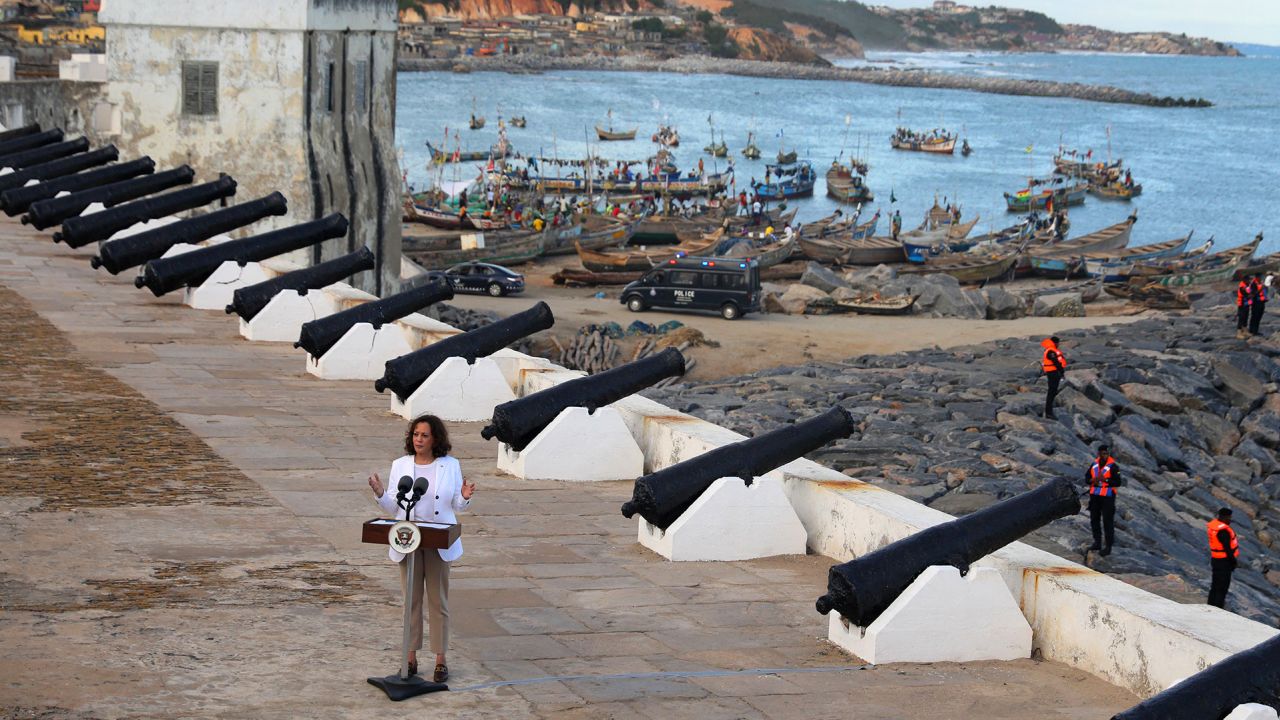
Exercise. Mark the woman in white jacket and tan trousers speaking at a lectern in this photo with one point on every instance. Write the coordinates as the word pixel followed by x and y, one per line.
pixel 427 445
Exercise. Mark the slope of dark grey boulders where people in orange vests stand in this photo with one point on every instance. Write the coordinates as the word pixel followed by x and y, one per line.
pixel 1191 413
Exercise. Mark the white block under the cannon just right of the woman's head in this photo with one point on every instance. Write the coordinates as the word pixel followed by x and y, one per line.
pixel 578 446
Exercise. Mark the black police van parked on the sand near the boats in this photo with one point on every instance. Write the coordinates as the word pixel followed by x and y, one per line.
pixel 729 286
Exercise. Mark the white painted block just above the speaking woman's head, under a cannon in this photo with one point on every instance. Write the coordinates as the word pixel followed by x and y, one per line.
pixel 458 391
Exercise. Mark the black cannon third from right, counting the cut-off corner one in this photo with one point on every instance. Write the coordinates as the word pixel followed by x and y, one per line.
pixel 664 496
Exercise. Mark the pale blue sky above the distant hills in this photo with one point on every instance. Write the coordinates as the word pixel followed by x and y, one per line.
pixel 1229 21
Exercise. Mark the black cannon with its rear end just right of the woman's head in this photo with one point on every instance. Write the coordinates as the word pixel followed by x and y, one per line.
pixel 519 422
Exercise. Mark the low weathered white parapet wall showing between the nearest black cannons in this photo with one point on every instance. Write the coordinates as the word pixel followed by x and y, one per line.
pixel 1127 636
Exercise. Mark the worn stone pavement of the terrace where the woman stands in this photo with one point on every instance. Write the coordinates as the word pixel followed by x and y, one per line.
pixel 180 525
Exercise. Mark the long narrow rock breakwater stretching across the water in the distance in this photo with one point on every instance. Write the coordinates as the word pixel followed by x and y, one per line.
pixel 703 65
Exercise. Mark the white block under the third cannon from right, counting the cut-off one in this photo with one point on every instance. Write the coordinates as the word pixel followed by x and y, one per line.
pixel 732 522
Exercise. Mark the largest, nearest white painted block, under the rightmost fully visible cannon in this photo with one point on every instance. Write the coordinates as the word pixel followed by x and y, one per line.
pixel 943 618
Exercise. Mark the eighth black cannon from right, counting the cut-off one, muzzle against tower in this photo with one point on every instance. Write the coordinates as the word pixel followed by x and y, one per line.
pixel 193 268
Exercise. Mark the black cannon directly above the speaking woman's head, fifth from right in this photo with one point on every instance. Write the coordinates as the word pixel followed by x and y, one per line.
pixel 408 372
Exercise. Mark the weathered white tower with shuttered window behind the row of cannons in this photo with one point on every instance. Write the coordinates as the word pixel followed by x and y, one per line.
pixel 290 95
